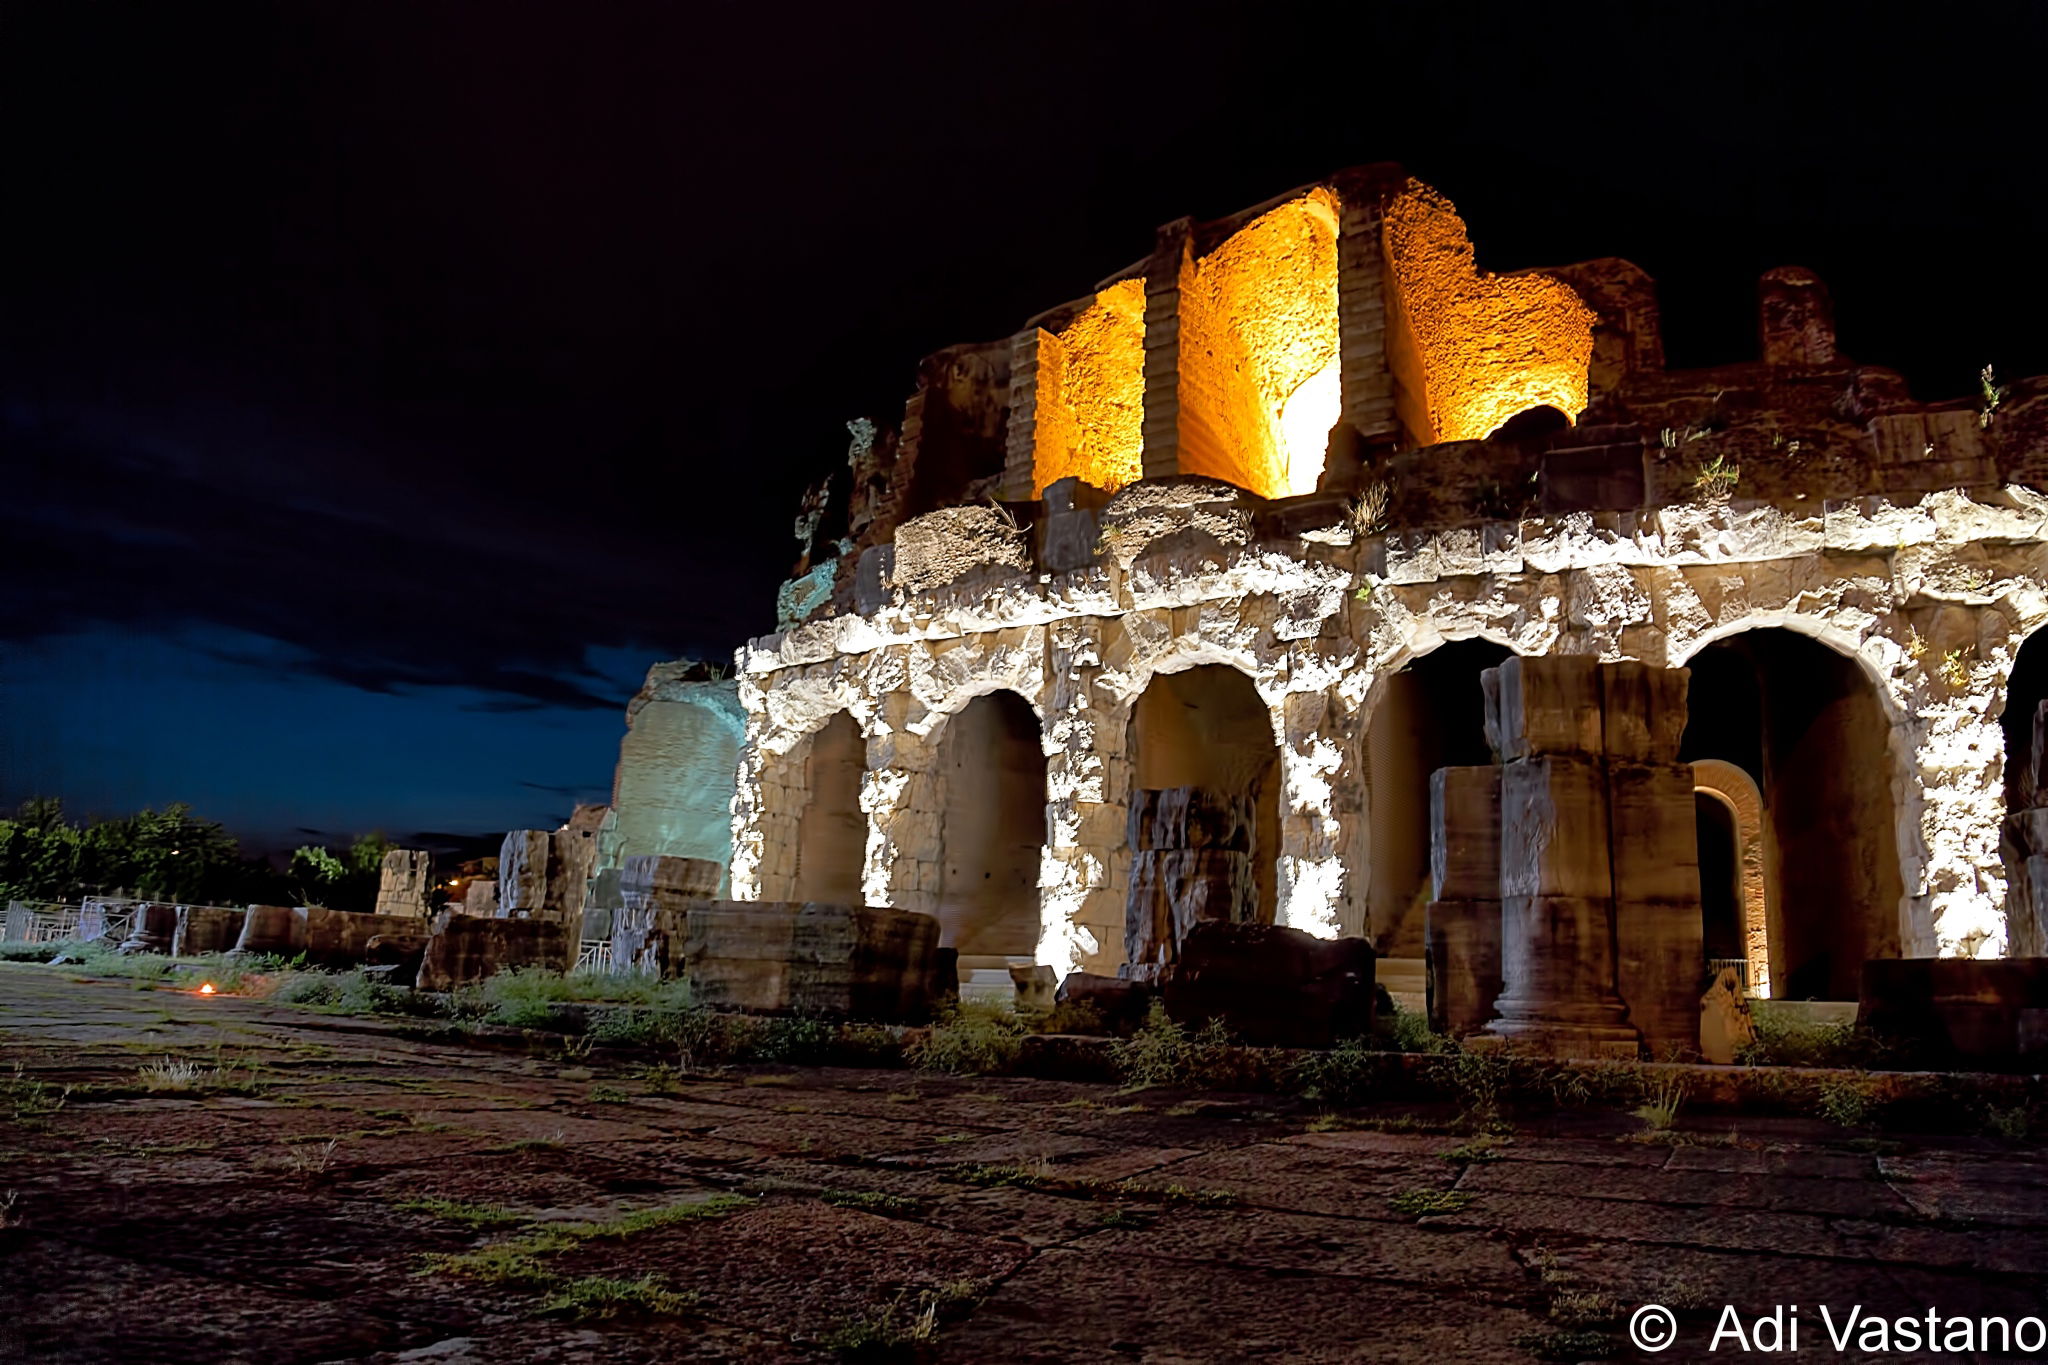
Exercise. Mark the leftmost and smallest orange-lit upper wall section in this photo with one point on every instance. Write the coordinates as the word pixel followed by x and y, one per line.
pixel 1091 404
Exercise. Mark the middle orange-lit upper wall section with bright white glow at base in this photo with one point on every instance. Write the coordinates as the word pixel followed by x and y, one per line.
pixel 1258 351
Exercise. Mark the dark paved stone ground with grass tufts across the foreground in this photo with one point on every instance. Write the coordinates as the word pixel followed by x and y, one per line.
pixel 282 1213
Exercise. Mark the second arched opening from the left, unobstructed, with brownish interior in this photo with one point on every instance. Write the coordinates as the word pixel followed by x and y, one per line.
pixel 992 830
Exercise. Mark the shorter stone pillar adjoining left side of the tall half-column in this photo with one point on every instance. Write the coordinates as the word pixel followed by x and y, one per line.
pixel 1463 922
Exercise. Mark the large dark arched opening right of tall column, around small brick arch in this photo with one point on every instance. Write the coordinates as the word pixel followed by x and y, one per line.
pixel 1807 725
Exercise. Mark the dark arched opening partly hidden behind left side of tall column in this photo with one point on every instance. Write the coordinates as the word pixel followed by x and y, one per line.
pixel 1433 715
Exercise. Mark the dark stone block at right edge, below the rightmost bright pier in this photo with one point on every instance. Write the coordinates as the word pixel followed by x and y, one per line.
pixel 1953 1012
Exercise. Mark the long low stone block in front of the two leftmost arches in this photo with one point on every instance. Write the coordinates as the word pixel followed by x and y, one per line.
pixel 845 961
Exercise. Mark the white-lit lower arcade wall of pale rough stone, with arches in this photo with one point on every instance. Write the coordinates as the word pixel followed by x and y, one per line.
pixel 1928 597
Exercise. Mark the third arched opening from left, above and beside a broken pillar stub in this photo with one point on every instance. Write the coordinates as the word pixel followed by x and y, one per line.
pixel 1207 728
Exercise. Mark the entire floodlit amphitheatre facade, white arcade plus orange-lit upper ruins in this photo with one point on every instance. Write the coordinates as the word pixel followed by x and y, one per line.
pixel 1297 607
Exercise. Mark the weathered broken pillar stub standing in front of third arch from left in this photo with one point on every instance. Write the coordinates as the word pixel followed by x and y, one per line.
pixel 1191 863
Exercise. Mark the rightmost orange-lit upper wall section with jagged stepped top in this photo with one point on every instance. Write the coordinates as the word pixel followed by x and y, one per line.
pixel 1467 347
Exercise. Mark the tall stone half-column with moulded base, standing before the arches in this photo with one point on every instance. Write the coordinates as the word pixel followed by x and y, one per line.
pixel 1558 873
